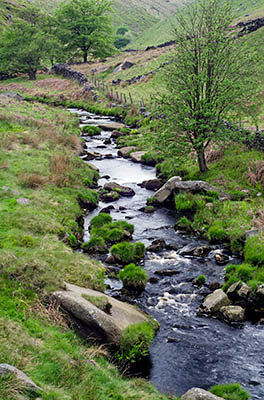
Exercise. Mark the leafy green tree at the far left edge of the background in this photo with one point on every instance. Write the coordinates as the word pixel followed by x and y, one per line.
pixel 26 45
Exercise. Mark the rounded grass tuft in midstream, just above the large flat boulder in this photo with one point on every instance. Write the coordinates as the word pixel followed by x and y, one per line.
pixel 133 277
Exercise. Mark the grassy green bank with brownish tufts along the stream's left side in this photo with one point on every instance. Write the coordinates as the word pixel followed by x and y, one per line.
pixel 42 183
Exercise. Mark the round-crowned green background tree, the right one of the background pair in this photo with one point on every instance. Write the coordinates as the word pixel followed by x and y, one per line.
pixel 84 26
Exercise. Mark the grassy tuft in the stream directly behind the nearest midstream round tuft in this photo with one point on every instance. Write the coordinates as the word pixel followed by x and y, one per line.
pixel 126 253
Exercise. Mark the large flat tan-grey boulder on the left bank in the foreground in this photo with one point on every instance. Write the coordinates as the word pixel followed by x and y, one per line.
pixel 104 326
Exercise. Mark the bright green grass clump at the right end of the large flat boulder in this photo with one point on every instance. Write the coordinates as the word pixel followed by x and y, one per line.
pixel 135 342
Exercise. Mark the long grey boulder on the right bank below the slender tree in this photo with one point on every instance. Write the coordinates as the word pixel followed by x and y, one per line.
pixel 175 184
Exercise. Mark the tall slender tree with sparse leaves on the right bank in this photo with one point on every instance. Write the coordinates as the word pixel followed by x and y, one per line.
pixel 207 78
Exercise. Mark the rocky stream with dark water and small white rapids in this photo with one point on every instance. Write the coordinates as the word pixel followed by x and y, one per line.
pixel 188 350
